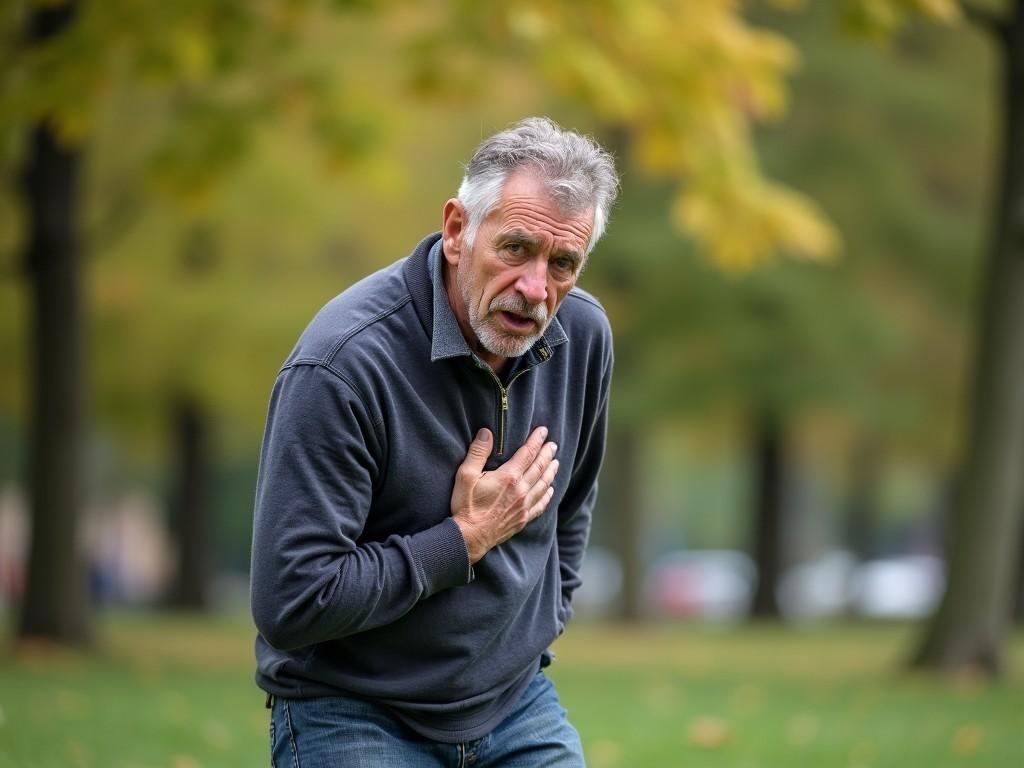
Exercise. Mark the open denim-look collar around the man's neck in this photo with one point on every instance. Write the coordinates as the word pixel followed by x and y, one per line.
pixel 424 276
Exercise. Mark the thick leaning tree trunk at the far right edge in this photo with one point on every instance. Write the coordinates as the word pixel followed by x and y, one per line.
pixel 969 629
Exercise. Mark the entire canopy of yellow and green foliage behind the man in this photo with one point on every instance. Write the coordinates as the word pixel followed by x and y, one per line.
pixel 247 161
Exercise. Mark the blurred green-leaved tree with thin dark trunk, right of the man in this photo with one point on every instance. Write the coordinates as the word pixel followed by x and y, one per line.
pixel 890 145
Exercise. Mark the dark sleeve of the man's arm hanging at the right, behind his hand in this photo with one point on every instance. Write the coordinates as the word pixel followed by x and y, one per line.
pixel 576 511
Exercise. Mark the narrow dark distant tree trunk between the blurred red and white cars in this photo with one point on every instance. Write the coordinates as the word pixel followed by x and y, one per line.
pixel 769 501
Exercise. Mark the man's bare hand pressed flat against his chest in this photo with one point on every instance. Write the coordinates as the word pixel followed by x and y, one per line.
pixel 492 507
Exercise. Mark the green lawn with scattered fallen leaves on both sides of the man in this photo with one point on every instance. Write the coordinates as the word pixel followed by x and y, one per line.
pixel 178 693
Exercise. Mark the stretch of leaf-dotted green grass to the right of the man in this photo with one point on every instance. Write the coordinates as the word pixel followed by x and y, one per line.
pixel 779 698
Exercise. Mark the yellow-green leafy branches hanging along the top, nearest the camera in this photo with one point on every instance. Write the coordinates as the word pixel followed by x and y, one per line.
pixel 686 80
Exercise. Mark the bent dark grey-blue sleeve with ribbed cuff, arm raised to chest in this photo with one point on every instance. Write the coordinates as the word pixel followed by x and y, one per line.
pixel 311 580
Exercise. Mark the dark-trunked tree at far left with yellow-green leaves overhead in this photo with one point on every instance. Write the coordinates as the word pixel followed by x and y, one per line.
pixel 54 81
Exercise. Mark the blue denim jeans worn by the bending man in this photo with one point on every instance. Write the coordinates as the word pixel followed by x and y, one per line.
pixel 344 733
